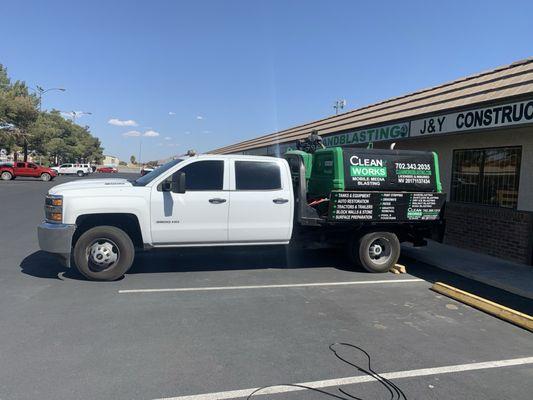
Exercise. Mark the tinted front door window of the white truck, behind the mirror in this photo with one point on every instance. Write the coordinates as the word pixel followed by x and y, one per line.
pixel 204 175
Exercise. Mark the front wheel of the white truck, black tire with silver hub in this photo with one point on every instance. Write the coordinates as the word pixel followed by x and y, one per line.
pixel 107 242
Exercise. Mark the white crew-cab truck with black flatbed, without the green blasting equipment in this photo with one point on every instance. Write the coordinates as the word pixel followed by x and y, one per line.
pixel 205 200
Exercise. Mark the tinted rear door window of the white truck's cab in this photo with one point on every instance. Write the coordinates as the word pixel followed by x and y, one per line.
pixel 256 175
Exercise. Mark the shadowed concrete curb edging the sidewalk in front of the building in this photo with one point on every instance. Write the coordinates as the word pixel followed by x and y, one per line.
pixel 426 258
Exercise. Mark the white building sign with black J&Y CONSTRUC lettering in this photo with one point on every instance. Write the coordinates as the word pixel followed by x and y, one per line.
pixel 482 118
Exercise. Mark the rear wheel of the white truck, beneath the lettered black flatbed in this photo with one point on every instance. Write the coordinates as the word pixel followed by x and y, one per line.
pixel 376 251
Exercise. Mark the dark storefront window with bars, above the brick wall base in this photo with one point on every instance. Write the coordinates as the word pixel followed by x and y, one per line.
pixel 486 176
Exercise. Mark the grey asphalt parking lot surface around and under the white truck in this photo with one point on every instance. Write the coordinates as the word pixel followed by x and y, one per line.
pixel 216 323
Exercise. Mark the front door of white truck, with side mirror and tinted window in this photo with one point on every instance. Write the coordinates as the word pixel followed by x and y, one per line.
pixel 198 216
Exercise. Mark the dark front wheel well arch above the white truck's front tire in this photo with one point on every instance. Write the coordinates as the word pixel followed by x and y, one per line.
pixel 127 222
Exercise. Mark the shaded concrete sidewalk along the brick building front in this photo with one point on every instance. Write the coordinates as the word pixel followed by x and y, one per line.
pixel 512 277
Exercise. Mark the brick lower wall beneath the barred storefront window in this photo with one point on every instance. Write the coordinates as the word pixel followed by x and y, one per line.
pixel 498 232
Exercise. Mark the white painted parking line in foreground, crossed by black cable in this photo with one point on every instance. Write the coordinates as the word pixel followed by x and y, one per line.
pixel 235 394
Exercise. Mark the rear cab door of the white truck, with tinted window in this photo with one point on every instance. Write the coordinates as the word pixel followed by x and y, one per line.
pixel 261 202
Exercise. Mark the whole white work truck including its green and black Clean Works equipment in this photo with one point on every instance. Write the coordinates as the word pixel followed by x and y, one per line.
pixel 229 200
